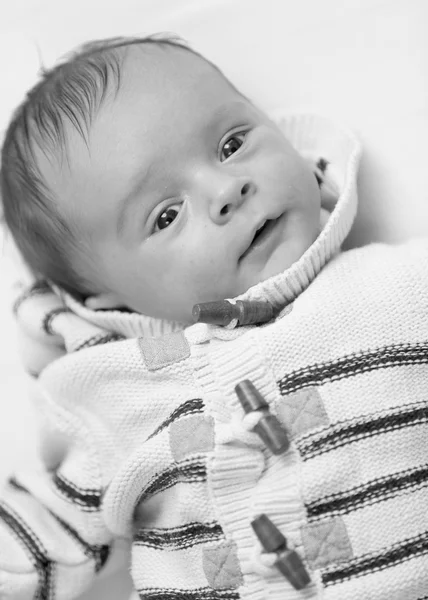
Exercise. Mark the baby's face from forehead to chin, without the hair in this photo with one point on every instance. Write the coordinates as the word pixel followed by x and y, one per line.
pixel 178 174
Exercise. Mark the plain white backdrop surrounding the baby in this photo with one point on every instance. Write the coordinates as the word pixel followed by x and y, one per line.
pixel 364 63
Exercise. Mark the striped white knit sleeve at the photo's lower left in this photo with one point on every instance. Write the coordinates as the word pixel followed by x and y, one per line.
pixel 53 541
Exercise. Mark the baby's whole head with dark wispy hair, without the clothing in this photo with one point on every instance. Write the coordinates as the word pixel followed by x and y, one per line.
pixel 142 186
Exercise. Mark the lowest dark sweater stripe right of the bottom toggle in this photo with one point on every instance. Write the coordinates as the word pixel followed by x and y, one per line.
pixel 358 567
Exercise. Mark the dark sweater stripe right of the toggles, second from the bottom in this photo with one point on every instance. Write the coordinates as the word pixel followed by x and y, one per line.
pixel 377 490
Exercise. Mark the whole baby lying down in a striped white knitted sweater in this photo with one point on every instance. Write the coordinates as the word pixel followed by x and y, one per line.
pixel 282 456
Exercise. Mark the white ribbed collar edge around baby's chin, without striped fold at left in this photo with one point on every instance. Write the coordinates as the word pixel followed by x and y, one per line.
pixel 334 154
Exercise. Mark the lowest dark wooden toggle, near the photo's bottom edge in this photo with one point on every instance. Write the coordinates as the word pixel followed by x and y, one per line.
pixel 288 562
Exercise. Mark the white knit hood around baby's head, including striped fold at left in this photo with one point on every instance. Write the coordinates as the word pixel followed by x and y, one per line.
pixel 332 152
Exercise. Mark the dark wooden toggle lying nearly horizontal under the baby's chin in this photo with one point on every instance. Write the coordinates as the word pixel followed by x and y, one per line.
pixel 223 312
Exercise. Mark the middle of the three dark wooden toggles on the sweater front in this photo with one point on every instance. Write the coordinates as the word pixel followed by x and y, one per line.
pixel 268 428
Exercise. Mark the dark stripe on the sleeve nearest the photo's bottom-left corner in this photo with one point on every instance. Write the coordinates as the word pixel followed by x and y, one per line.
pixel 34 548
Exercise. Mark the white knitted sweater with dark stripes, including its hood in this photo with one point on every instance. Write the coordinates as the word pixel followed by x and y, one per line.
pixel 144 437
